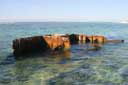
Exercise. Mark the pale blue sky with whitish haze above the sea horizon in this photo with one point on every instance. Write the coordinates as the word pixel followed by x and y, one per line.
pixel 63 10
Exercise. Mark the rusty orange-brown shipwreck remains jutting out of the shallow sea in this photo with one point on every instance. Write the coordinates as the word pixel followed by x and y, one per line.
pixel 55 42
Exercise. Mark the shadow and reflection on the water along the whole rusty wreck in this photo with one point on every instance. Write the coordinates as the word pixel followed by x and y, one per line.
pixel 60 56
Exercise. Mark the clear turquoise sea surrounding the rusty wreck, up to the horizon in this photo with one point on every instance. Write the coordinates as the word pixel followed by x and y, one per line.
pixel 78 66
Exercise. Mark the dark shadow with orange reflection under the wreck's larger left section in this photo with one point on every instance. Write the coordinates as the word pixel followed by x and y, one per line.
pixel 58 55
